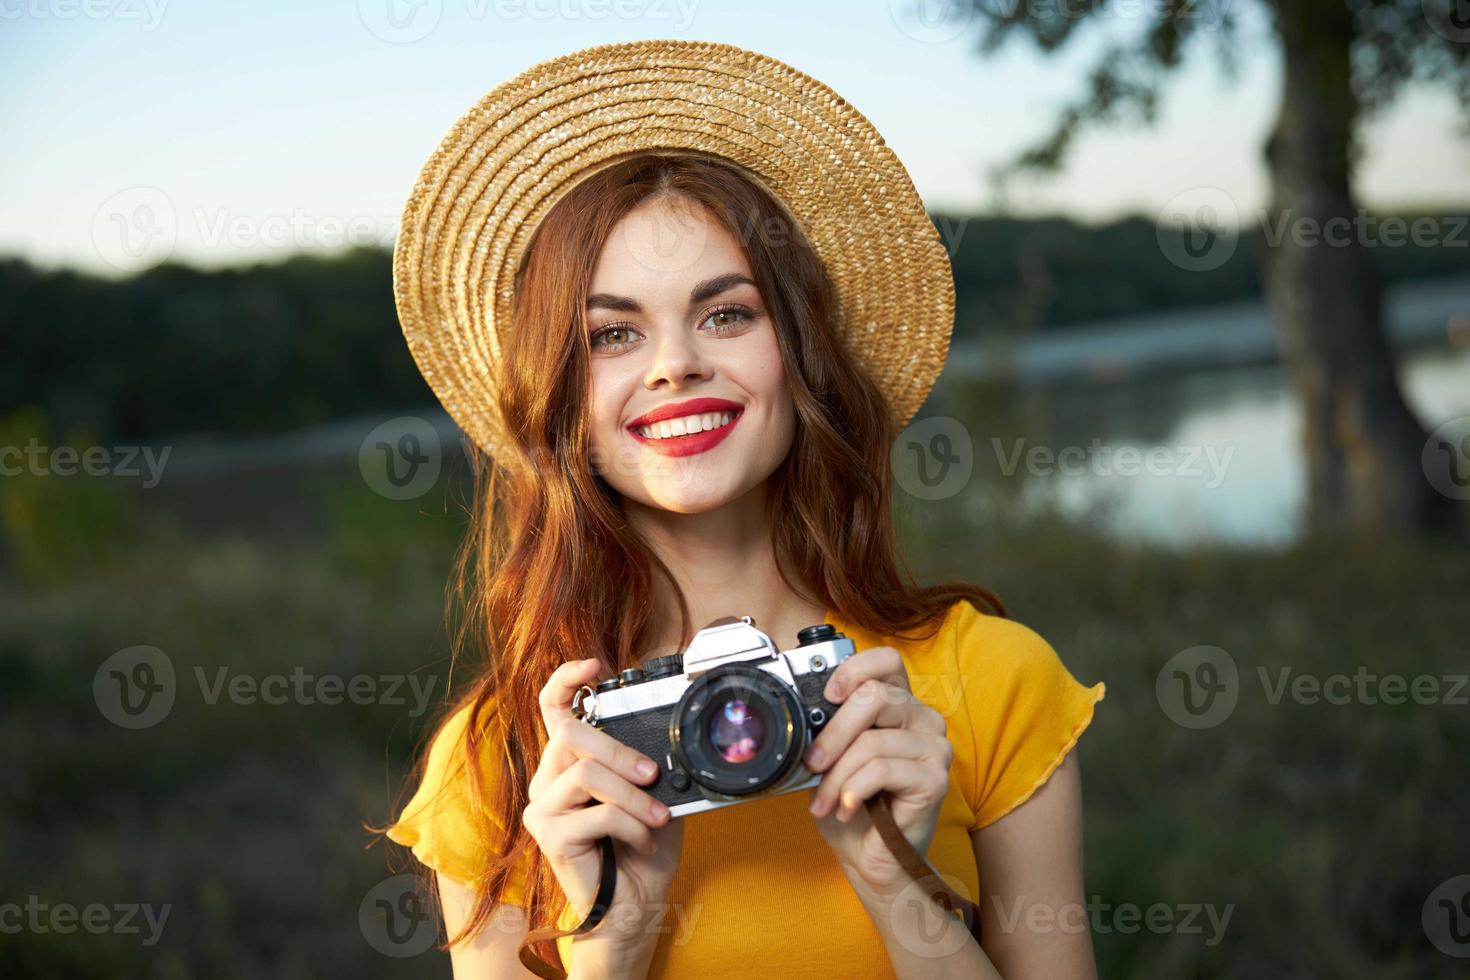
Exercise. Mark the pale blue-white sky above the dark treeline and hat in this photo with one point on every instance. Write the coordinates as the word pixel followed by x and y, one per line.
pixel 223 133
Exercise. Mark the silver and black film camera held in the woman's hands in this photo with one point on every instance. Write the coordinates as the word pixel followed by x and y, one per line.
pixel 728 719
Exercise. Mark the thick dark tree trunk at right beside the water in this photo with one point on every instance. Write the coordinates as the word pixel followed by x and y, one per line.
pixel 1362 443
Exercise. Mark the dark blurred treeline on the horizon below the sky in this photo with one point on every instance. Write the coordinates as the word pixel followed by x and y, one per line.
pixel 274 347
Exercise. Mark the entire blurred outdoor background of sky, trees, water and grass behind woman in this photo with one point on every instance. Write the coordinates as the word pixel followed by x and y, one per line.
pixel 1206 427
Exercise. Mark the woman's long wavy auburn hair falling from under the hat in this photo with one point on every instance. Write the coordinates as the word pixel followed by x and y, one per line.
pixel 551 571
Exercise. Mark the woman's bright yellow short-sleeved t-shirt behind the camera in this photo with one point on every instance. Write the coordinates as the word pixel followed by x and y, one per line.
pixel 758 885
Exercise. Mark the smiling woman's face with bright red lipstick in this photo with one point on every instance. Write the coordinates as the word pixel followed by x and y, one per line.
pixel 674 317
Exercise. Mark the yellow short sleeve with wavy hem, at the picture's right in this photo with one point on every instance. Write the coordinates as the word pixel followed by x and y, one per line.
pixel 1027 710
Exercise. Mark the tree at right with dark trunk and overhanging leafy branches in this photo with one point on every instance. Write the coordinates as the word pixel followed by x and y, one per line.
pixel 1343 62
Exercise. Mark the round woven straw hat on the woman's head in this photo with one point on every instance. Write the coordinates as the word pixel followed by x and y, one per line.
pixel 530 140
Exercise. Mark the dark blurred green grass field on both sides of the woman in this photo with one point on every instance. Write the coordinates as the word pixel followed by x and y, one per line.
pixel 1313 832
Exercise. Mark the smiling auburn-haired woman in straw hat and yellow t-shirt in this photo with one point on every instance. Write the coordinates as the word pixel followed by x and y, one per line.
pixel 684 299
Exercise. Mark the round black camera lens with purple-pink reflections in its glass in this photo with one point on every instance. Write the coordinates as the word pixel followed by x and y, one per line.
pixel 736 731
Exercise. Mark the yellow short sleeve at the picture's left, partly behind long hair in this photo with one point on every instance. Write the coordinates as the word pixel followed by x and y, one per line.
pixel 440 822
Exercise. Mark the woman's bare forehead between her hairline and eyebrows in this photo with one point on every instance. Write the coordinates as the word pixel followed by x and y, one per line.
pixel 665 243
